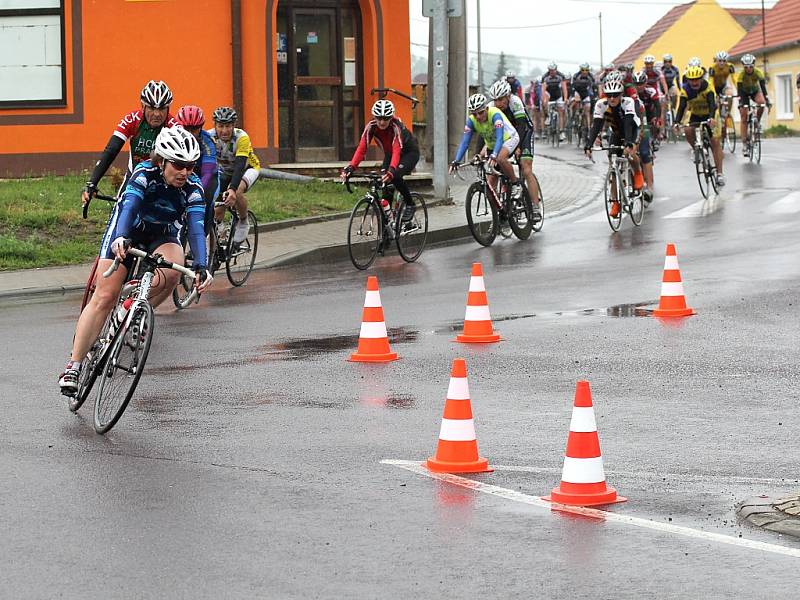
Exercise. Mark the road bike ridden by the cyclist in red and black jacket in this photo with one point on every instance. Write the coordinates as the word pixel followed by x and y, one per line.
pixel 377 219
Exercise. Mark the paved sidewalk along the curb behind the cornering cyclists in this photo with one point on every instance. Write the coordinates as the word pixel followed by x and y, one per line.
pixel 566 185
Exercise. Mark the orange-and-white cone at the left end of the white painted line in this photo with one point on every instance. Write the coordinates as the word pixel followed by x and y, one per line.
pixel 457 451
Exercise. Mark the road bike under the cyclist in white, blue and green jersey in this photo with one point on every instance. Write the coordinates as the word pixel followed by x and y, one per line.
pixel 492 209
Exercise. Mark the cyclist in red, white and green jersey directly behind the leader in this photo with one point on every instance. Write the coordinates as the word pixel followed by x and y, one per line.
pixel 139 127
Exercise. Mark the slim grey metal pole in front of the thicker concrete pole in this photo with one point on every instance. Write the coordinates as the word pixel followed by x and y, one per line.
pixel 439 125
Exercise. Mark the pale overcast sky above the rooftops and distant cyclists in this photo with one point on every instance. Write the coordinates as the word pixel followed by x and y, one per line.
pixel 523 27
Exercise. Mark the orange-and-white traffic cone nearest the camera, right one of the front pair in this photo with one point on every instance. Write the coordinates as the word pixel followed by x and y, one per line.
pixel 583 481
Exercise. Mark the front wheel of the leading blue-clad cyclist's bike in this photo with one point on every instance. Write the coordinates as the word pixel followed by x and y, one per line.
pixel 122 366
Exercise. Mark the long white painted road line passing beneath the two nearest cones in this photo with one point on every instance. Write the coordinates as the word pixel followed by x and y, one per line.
pixel 416 467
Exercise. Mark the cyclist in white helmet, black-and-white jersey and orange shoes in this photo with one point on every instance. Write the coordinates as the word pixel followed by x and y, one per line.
pixel 619 113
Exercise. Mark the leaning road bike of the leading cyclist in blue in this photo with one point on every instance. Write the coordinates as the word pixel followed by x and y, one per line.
pixel 115 362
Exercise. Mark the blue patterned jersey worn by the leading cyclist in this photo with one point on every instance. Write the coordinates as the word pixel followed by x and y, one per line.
pixel 151 206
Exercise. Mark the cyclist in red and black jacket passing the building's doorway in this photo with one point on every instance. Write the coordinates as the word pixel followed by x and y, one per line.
pixel 400 151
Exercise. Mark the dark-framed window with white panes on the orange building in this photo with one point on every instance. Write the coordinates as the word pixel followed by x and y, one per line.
pixel 32 53
